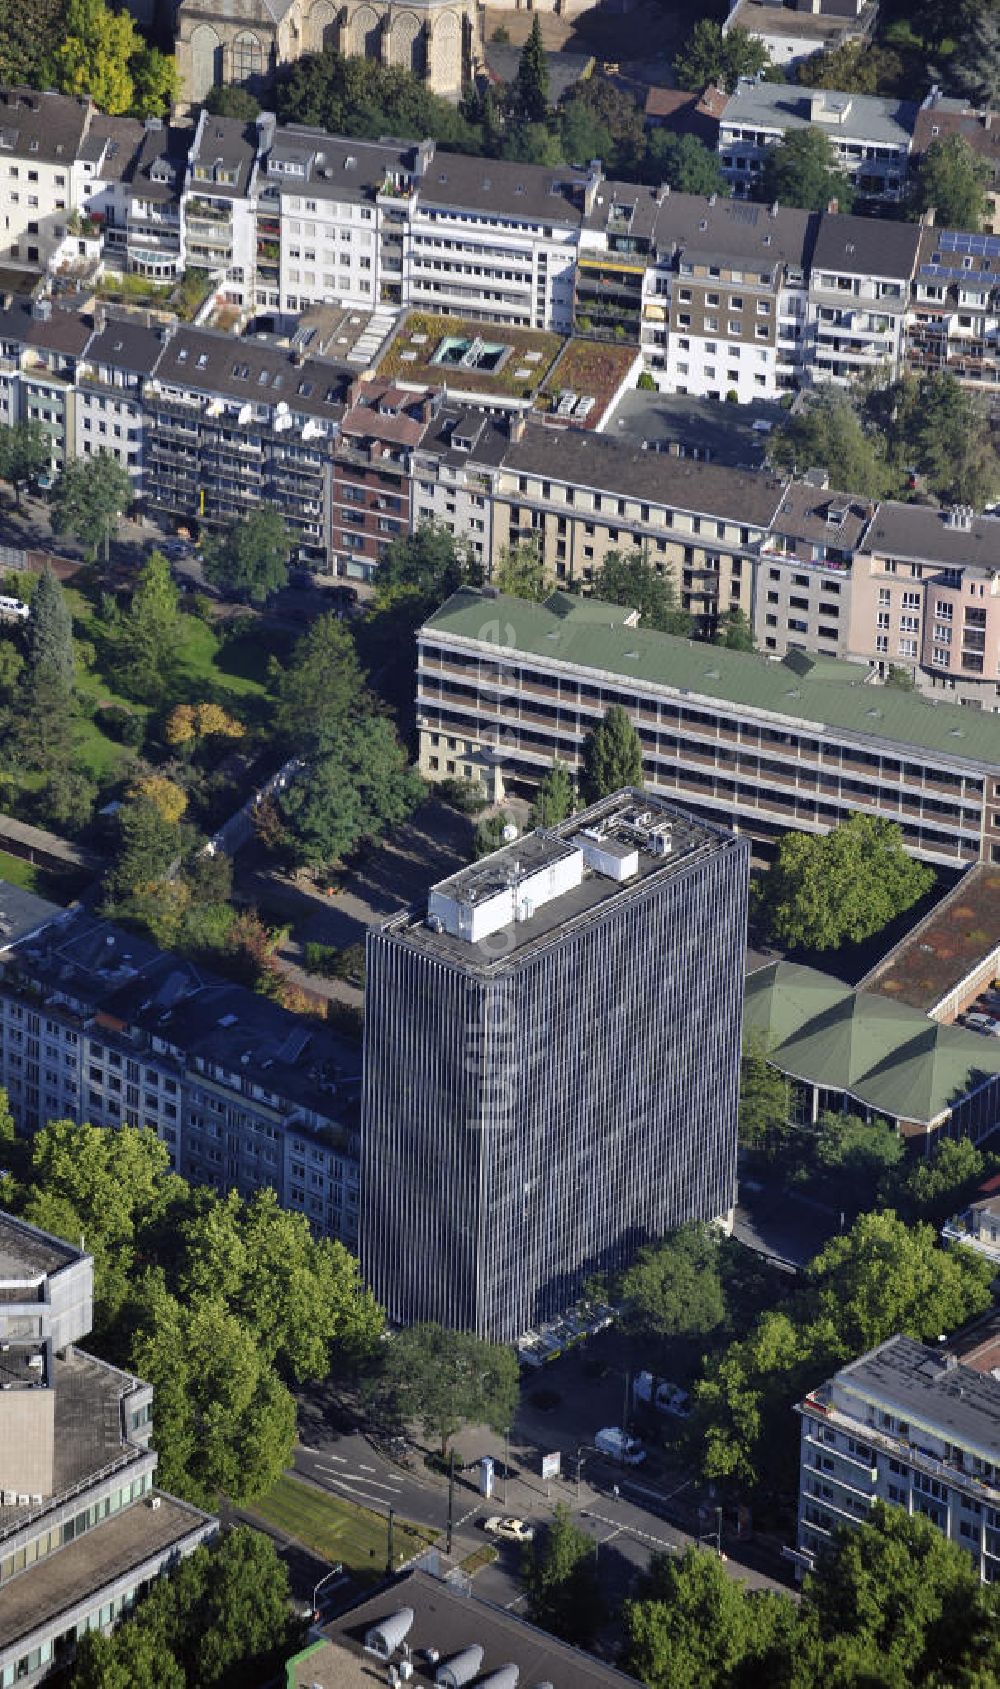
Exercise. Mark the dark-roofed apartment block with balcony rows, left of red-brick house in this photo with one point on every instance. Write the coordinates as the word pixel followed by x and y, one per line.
pixel 237 423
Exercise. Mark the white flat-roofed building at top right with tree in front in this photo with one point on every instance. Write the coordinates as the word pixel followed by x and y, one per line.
pixel 871 136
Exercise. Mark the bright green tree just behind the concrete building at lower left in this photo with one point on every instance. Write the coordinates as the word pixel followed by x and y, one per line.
pixel 101 1185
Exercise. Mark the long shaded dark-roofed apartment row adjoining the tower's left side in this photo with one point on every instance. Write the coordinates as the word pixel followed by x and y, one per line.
pixel 99 1026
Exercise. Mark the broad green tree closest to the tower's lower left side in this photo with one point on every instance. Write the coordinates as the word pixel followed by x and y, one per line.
pixel 300 1296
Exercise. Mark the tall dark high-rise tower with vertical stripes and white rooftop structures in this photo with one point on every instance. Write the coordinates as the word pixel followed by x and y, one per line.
pixel 552 1065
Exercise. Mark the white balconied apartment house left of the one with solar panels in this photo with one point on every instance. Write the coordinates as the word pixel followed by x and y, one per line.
pixel 859 298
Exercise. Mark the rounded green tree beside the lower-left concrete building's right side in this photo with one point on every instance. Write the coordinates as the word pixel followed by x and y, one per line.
pixel 222 1420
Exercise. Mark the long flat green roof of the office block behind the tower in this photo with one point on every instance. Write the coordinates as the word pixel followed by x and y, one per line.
pixel 589 634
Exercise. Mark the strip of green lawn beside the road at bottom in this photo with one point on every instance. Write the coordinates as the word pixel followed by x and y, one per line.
pixel 335 1529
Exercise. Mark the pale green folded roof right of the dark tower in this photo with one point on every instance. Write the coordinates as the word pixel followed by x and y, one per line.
pixel 881 1053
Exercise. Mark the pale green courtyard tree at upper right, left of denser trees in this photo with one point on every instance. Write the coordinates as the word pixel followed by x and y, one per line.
pixel 829 435
